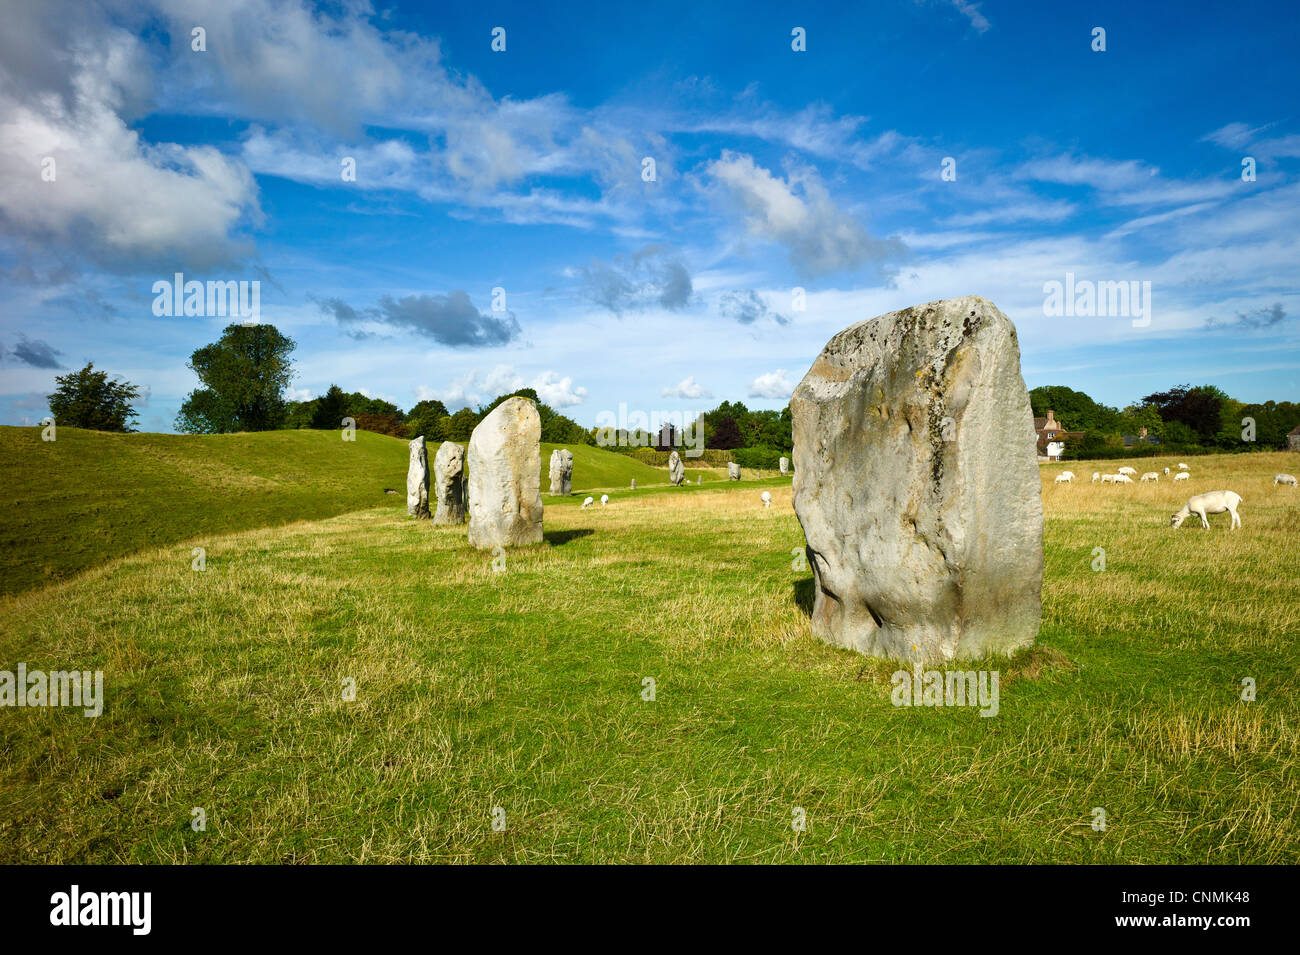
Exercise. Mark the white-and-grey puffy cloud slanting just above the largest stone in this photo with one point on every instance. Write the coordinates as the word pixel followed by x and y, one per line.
pixel 800 215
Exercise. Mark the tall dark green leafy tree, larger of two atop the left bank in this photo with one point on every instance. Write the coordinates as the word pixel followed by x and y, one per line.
pixel 244 376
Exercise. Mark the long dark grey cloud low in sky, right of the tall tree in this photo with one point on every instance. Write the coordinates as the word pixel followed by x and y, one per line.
pixel 452 319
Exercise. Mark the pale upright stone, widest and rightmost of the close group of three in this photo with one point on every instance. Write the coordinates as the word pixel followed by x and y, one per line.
pixel 506 477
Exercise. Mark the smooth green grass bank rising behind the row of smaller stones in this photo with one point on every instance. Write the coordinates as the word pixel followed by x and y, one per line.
pixel 89 497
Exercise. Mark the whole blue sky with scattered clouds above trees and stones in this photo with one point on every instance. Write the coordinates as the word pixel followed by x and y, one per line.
pixel 523 171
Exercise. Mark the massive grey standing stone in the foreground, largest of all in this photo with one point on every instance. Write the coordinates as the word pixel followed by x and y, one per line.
pixel 917 485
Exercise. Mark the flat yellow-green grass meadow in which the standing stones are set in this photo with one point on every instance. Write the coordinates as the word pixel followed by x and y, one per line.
pixel 523 689
